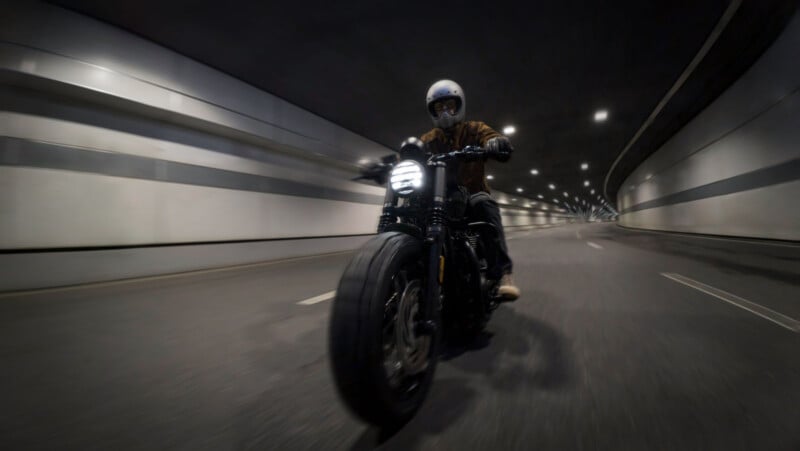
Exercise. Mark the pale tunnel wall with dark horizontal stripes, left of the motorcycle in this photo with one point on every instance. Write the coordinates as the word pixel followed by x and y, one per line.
pixel 119 158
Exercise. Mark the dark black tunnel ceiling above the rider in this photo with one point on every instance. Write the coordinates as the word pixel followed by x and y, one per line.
pixel 542 66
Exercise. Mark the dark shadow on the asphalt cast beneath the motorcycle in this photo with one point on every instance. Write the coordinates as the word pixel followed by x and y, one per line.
pixel 516 353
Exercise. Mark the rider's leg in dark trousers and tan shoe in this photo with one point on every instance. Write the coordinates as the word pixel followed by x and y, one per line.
pixel 483 208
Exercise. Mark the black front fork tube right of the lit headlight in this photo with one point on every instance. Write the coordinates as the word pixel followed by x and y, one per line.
pixel 433 237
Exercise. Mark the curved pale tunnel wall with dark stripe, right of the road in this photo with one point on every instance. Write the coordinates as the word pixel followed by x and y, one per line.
pixel 735 169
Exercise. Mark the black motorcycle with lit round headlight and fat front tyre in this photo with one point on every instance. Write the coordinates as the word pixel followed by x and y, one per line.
pixel 423 275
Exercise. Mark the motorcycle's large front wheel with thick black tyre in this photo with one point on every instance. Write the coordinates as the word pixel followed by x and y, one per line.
pixel 381 365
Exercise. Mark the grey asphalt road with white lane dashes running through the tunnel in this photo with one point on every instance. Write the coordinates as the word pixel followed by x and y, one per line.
pixel 603 351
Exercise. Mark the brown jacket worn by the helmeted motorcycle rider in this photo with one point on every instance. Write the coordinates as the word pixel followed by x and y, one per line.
pixel 471 133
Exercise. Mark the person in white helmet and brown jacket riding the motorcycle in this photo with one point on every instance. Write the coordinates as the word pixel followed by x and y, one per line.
pixel 446 105
